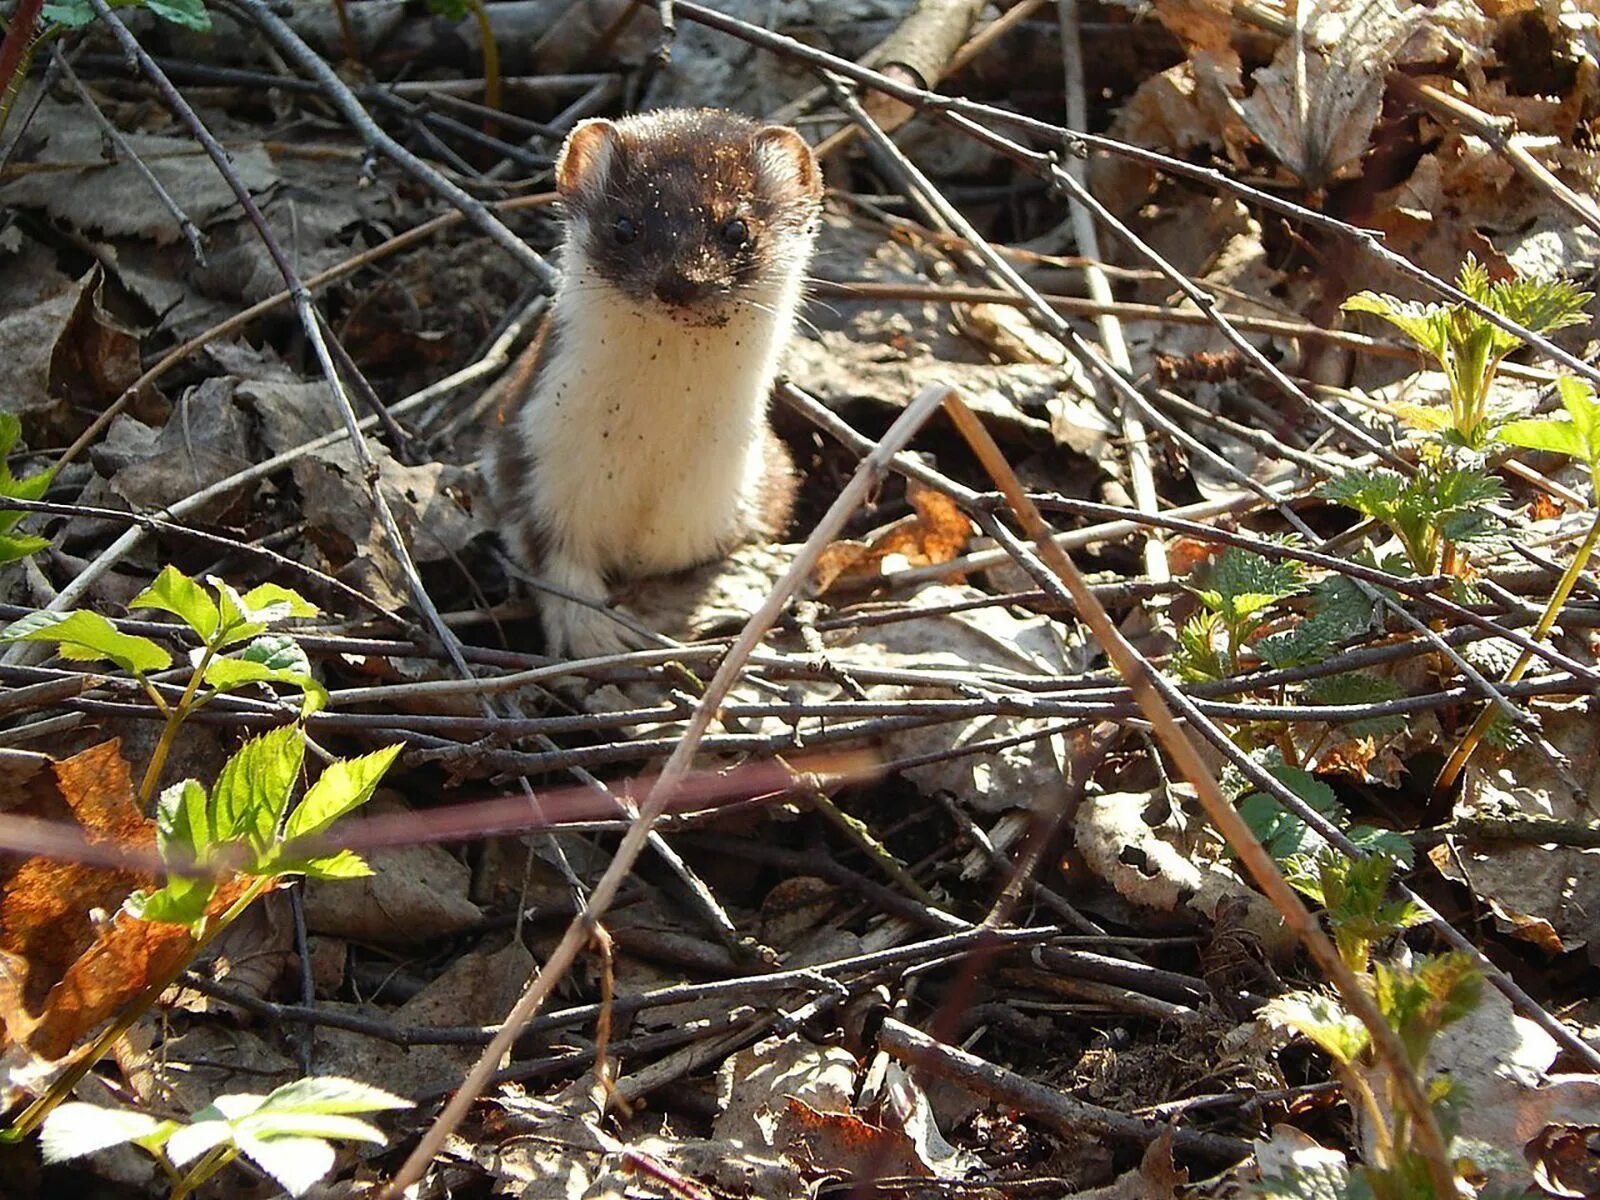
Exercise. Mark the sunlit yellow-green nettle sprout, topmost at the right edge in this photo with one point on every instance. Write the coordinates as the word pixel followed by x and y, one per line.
pixel 1470 348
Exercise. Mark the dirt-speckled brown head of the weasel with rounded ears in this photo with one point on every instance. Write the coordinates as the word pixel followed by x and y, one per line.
pixel 694 214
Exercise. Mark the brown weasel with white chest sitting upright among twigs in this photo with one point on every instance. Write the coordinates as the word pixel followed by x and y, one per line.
pixel 641 446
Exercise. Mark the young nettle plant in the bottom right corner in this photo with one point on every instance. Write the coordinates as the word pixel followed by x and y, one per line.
pixel 1417 1001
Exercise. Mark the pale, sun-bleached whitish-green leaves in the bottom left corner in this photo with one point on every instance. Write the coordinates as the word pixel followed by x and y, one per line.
pixel 287 1134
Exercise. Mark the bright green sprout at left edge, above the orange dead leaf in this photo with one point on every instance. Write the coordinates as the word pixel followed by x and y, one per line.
pixel 236 649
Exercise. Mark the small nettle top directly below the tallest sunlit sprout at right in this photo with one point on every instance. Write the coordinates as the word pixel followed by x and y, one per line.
pixel 1430 513
